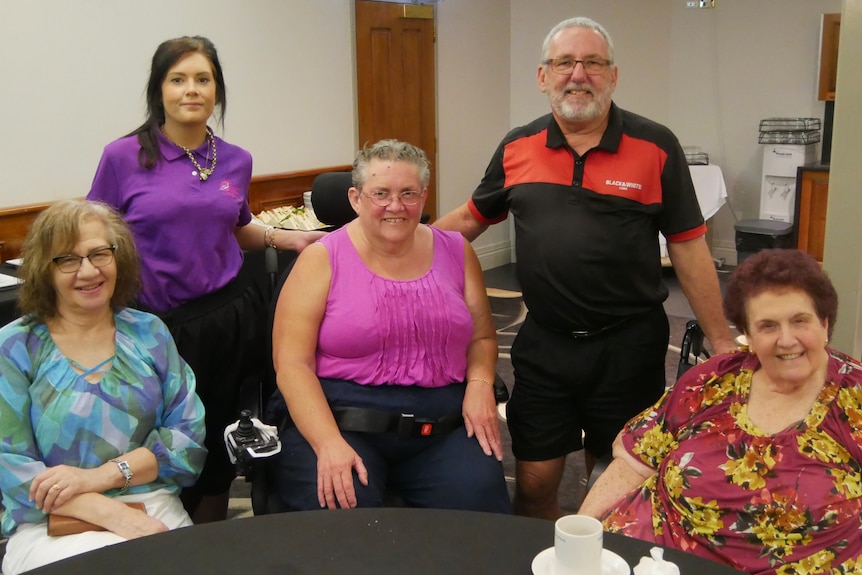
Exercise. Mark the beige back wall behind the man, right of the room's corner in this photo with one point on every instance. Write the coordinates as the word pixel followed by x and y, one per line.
pixel 710 75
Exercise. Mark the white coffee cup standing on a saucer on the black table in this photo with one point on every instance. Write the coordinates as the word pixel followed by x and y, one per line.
pixel 578 545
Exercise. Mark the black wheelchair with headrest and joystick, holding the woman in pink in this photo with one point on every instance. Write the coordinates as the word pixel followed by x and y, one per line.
pixel 251 440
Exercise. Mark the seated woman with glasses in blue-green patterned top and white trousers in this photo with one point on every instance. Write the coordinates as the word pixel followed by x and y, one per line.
pixel 97 408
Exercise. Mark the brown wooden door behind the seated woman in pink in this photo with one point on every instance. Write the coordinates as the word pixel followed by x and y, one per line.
pixel 395 79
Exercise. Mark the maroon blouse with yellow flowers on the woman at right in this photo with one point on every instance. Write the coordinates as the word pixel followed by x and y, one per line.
pixel 787 503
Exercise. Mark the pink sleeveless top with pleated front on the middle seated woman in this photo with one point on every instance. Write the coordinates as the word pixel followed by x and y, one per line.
pixel 378 331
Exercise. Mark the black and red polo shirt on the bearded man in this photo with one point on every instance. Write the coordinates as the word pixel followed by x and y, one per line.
pixel 586 227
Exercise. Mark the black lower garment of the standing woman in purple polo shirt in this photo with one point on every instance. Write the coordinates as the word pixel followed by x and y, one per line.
pixel 221 337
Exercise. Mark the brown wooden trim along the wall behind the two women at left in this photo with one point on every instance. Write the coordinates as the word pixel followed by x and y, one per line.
pixel 266 192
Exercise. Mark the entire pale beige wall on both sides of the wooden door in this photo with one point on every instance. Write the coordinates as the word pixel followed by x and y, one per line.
pixel 74 75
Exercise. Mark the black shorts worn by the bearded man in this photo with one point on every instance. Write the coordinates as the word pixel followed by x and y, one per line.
pixel 565 386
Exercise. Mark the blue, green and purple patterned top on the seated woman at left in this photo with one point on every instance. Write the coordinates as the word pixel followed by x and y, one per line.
pixel 50 415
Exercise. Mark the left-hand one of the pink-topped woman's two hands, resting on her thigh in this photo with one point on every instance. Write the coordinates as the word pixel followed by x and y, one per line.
pixel 335 465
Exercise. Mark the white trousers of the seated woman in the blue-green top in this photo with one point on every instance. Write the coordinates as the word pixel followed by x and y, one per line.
pixel 30 546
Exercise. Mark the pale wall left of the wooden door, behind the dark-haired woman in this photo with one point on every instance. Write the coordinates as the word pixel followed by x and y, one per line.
pixel 74 74
